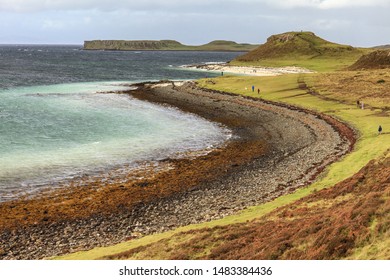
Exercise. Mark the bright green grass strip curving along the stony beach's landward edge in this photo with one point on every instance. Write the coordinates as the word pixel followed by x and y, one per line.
pixel 284 89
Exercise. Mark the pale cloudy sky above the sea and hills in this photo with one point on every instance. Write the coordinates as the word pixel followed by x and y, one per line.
pixel 360 23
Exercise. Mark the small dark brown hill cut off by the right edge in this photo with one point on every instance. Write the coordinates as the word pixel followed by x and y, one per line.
pixel 376 60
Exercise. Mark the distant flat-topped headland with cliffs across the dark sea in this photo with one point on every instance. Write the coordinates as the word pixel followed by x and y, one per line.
pixel 165 45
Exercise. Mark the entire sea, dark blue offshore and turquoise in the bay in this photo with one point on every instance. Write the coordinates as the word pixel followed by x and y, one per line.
pixel 60 120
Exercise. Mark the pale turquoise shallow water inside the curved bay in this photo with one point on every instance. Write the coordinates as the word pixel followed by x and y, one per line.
pixel 49 134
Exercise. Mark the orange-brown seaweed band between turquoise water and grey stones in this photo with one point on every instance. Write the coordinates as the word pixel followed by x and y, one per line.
pixel 98 198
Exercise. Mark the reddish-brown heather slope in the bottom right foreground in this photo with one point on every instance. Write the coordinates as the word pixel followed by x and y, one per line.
pixel 329 224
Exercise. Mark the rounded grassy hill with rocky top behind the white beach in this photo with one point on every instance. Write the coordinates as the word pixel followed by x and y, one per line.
pixel 303 49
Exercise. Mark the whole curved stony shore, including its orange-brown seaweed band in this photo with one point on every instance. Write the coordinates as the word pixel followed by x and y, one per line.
pixel 275 149
